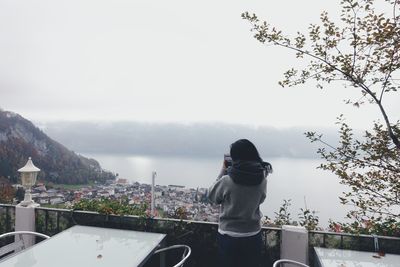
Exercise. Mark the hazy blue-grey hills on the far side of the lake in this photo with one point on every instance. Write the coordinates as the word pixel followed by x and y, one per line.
pixel 177 139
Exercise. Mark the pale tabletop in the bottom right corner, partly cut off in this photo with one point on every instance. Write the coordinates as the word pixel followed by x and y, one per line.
pixel 351 258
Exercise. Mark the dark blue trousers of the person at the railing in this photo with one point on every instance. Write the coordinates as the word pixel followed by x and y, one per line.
pixel 239 251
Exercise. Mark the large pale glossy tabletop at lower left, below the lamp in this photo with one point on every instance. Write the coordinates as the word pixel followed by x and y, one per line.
pixel 89 246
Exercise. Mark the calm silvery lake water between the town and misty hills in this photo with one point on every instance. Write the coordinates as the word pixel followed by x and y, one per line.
pixel 295 179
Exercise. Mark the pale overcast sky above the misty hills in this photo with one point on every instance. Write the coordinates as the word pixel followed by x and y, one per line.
pixel 161 61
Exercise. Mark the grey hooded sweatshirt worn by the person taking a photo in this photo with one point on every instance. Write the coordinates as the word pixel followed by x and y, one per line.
pixel 239 210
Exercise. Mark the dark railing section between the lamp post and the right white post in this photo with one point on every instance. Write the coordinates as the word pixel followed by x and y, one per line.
pixel 200 236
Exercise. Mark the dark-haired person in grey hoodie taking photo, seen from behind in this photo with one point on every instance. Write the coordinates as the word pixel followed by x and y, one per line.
pixel 239 190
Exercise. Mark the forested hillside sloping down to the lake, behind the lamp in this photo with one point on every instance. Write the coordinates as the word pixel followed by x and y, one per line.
pixel 20 139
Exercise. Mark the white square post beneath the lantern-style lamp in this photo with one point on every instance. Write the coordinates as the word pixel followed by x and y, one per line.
pixel 25 221
